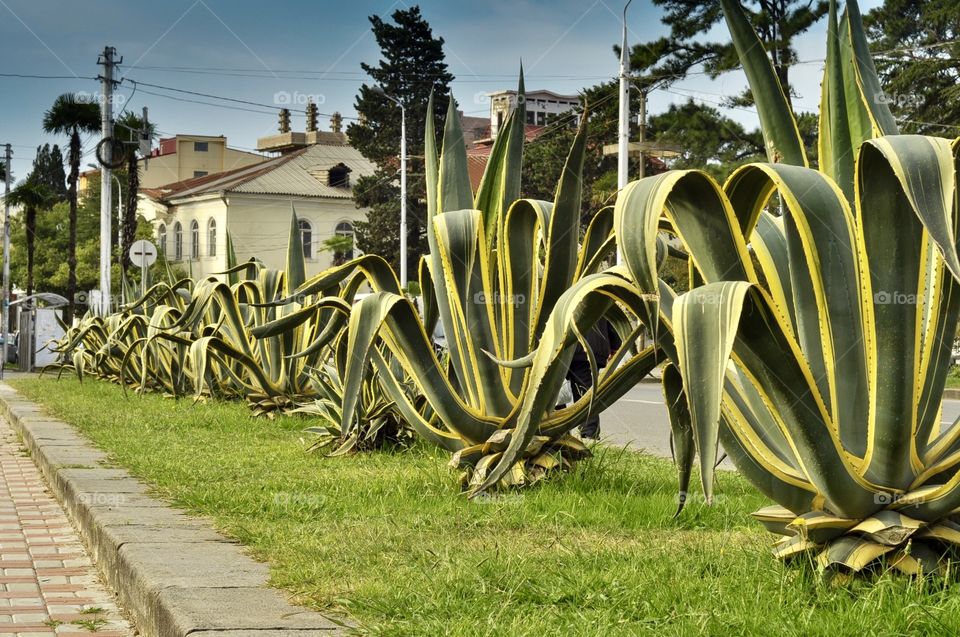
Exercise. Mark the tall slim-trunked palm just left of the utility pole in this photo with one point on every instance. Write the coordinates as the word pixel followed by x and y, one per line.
pixel 70 116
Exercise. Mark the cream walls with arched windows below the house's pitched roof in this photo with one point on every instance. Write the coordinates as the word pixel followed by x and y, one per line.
pixel 259 226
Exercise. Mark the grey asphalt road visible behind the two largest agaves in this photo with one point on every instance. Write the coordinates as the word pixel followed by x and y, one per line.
pixel 639 420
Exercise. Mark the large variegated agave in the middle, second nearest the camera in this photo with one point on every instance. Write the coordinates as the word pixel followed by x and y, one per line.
pixel 515 285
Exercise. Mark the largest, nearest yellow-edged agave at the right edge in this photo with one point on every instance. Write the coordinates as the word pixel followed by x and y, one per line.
pixel 816 347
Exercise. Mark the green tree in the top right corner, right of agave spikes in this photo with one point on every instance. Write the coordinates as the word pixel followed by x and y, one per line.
pixel 917 54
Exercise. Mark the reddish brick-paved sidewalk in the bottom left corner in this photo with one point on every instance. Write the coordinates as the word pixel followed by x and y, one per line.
pixel 48 585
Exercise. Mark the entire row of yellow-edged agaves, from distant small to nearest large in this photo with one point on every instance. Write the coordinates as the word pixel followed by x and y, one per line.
pixel 813 344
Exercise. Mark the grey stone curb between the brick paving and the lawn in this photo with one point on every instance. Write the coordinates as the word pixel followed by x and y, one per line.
pixel 172 573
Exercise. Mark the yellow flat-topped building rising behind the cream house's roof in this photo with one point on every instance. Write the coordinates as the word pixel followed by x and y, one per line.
pixel 185 157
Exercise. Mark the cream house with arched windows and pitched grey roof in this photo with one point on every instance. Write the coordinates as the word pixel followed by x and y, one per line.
pixel 253 203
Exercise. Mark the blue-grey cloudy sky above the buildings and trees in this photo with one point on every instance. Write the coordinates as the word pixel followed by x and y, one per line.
pixel 262 52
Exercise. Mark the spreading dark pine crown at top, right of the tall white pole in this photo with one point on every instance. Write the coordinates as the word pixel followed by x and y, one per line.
pixel 671 58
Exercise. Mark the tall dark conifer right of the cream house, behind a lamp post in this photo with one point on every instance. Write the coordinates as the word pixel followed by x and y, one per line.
pixel 411 66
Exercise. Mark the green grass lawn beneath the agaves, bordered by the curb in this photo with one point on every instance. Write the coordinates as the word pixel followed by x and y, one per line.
pixel 386 538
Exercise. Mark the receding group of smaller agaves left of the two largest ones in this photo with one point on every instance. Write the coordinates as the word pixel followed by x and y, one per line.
pixel 228 339
